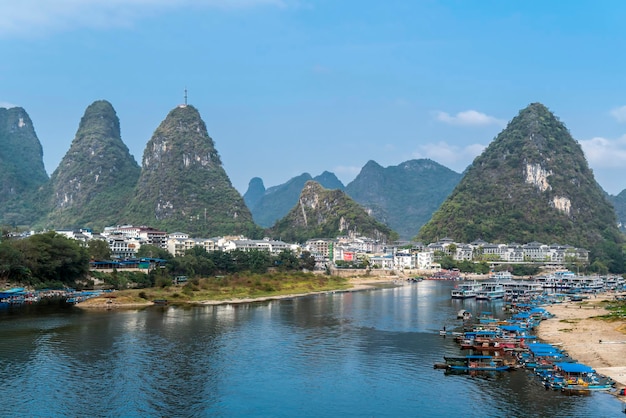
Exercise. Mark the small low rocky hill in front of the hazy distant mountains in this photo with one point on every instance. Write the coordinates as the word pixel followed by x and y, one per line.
pixel 323 213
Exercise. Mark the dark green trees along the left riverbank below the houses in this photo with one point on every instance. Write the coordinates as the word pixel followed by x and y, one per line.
pixel 53 260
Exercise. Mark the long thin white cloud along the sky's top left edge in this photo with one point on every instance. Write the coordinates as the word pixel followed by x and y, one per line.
pixel 38 17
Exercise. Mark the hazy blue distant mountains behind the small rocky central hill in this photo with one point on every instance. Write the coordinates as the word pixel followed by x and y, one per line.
pixel 403 196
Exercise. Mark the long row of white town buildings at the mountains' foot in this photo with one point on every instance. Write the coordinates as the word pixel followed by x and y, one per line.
pixel 124 242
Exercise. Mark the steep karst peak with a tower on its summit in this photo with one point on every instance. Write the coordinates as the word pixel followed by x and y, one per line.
pixel 183 185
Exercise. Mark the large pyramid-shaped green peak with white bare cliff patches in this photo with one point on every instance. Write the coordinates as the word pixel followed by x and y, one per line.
pixel 532 183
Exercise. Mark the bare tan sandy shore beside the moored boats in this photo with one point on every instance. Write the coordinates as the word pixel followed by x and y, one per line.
pixel 597 343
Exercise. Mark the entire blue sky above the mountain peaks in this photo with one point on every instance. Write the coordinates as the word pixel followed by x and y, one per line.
pixel 293 86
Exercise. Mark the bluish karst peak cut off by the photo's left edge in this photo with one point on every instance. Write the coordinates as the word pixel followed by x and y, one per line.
pixel 22 171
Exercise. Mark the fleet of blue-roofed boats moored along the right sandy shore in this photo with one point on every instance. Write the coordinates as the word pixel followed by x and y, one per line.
pixel 491 344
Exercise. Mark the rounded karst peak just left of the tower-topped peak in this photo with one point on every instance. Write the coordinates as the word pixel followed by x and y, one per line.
pixel 95 179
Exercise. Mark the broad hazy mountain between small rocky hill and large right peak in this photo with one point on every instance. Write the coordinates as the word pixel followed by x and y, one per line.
pixel 403 196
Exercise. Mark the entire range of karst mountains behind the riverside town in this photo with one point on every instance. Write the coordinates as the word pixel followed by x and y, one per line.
pixel 532 183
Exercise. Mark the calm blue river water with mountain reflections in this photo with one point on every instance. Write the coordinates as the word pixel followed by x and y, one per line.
pixel 368 353
